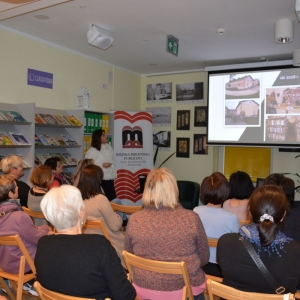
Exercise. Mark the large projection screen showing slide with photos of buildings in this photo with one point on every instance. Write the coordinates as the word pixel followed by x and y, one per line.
pixel 254 107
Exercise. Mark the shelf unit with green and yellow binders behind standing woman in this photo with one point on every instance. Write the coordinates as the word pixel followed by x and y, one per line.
pixel 93 120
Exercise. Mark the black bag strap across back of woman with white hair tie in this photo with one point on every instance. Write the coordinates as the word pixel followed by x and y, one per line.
pixel 263 269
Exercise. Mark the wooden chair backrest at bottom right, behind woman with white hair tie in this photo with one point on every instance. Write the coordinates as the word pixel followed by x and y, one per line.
pixel 229 293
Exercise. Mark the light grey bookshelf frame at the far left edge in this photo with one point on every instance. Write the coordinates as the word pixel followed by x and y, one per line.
pixel 26 129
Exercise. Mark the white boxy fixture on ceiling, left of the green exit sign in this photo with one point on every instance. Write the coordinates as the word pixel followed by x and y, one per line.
pixel 99 37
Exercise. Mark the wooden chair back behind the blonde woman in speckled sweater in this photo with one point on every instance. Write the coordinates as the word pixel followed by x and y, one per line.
pixel 160 267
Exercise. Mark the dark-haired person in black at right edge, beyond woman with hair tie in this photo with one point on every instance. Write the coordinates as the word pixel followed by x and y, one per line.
pixel 291 223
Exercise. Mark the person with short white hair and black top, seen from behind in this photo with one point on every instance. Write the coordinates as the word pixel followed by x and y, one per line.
pixel 71 263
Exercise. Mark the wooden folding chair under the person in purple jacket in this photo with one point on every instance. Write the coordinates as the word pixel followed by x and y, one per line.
pixel 17 280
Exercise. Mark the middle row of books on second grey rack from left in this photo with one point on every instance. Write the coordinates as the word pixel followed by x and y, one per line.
pixel 59 140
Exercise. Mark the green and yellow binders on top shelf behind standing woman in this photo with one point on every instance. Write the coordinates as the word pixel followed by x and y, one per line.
pixel 94 121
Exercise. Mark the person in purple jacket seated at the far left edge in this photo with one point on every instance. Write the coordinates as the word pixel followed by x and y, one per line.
pixel 14 221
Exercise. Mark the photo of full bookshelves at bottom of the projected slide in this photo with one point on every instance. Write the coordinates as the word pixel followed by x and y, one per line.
pixel 275 128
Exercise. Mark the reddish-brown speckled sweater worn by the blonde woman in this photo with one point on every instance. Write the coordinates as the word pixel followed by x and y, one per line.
pixel 169 235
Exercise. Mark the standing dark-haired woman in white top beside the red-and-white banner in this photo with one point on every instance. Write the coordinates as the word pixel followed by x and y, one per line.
pixel 103 155
